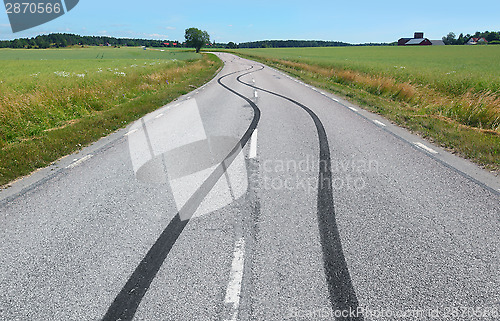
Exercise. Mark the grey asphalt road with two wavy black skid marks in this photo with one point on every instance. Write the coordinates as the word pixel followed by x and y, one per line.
pixel 255 197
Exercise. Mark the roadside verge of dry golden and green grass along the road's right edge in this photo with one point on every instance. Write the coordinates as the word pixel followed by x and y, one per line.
pixel 481 145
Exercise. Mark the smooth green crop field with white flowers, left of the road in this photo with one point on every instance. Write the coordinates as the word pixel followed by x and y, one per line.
pixel 21 67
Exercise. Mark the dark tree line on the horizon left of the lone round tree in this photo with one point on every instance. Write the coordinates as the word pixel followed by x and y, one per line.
pixel 60 40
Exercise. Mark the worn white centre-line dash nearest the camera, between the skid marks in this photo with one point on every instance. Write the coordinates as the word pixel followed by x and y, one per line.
pixel 236 278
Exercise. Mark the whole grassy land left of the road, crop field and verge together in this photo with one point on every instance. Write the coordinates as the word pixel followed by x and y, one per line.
pixel 54 101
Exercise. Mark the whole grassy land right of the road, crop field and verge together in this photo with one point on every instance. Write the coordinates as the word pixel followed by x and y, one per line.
pixel 449 94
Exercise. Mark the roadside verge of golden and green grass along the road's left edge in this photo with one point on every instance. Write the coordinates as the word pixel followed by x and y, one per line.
pixel 128 99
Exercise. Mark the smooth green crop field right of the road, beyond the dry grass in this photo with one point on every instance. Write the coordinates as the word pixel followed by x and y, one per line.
pixel 452 69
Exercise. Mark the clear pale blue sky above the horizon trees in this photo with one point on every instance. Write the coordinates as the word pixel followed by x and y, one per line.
pixel 354 21
